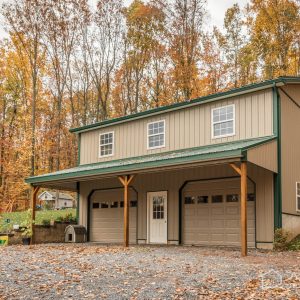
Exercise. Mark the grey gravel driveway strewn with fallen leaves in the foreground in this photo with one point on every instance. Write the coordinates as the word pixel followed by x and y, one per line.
pixel 90 271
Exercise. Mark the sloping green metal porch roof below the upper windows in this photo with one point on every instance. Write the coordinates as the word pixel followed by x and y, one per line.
pixel 171 158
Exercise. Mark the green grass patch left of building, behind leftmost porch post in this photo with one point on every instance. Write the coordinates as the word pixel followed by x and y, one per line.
pixel 41 216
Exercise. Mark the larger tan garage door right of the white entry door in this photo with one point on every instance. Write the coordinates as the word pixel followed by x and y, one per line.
pixel 211 213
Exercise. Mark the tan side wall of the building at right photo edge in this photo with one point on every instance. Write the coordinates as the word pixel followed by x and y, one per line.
pixel 290 150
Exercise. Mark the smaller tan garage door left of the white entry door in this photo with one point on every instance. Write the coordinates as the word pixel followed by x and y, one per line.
pixel 107 215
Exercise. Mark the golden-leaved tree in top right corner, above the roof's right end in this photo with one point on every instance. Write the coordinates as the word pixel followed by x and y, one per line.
pixel 274 28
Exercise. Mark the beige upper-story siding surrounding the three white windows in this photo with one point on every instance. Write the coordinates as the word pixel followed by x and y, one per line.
pixel 185 128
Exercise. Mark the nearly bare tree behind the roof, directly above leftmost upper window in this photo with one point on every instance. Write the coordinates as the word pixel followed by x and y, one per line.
pixel 103 43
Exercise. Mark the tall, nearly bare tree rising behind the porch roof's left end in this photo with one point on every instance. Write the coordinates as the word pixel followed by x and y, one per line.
pixel 61 23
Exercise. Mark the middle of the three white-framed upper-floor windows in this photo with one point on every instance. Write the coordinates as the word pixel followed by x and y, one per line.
pixel 156 134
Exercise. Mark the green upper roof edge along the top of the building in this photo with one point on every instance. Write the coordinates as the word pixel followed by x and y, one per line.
pixel 212 97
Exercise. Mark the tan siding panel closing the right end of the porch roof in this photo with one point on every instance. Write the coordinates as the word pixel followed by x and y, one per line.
pixel 264 156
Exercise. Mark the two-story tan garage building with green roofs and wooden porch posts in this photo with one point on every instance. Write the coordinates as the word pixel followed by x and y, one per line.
pixel 195 172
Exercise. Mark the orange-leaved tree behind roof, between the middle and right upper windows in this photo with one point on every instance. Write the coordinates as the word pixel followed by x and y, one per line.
pixel 185 31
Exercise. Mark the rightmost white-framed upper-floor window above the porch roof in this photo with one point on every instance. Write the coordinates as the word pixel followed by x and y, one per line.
pixel 223 121
